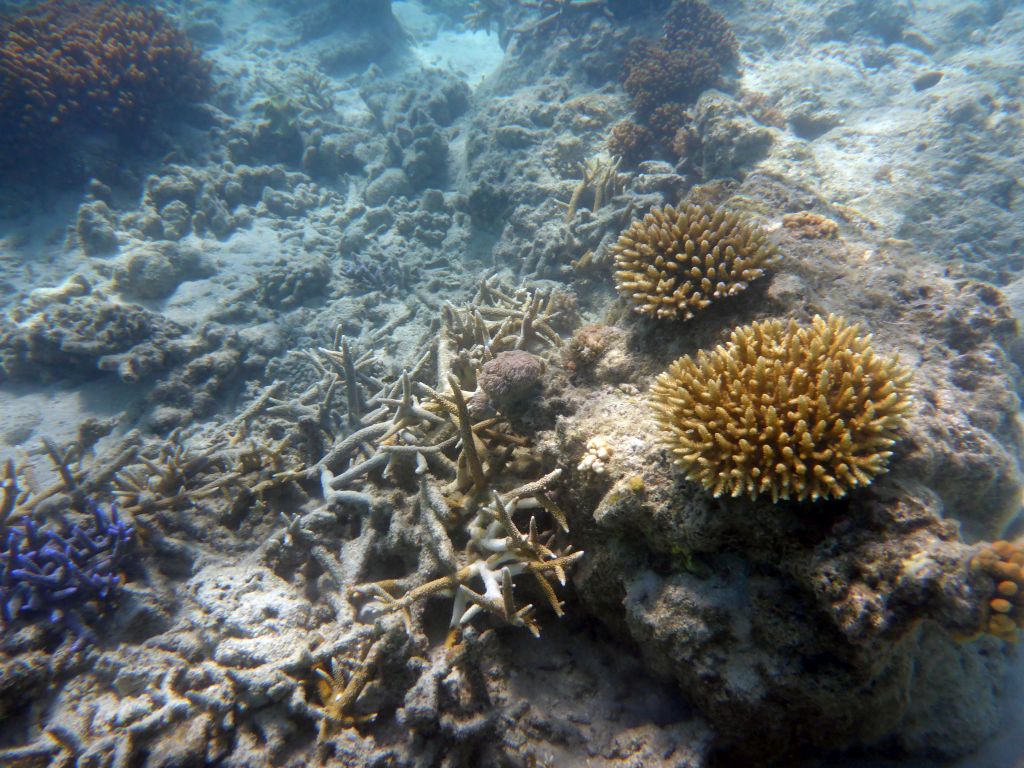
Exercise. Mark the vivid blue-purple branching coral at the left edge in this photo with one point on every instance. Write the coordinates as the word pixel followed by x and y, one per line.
pixel 69 576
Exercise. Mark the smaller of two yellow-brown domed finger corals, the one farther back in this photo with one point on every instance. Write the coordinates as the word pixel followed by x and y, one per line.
pixel 673 264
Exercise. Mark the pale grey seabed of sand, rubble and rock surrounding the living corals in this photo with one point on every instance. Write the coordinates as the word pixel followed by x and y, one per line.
pixel 821 114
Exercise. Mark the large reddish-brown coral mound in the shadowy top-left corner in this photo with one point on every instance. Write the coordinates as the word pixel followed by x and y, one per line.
pixel 69 65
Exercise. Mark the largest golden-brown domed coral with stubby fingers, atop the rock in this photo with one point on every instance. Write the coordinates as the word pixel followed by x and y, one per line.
pixel 792 411
